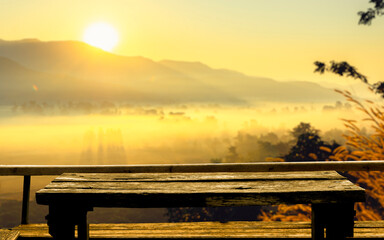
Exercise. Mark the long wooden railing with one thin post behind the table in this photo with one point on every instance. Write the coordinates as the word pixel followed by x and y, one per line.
pixel 51 170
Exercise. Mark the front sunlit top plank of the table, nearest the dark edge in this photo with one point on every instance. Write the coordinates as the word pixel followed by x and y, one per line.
pixel 279 186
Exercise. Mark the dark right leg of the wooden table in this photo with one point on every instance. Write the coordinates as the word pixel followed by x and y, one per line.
pixel 338 219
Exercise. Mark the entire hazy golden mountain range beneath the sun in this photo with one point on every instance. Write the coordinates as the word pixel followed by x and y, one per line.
pixel 72 70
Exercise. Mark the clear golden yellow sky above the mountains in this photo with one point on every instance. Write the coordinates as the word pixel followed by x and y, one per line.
pixel 279 39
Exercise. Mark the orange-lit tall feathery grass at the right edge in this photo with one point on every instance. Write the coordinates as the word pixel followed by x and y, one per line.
pixel 364 147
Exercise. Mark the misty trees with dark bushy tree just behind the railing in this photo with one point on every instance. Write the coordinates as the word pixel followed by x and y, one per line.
pixel 302 143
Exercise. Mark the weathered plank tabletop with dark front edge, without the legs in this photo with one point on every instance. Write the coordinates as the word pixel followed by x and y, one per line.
pixel 199 189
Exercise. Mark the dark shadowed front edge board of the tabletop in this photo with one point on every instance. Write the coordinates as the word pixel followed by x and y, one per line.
pixel 124 198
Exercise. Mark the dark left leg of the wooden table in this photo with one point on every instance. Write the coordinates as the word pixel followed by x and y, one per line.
pixel 62 222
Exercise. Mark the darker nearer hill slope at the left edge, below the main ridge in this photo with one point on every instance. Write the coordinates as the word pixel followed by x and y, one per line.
pixel 20 84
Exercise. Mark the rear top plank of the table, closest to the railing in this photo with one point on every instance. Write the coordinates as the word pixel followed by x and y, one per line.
pixel 186 177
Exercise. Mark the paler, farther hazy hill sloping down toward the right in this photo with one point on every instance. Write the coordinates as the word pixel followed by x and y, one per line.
pixel 254 88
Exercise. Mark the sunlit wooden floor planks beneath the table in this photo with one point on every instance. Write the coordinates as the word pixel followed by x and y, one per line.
pixel 184 230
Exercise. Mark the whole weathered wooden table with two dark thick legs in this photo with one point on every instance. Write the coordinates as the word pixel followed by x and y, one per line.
pixel 72 195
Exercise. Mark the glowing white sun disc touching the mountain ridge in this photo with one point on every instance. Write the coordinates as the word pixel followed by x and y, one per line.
pixel 101 35
